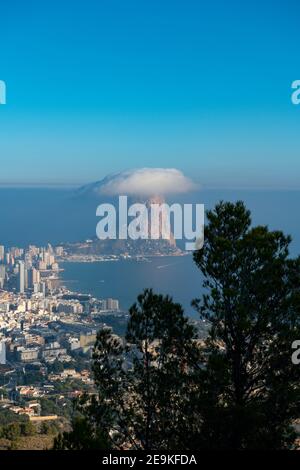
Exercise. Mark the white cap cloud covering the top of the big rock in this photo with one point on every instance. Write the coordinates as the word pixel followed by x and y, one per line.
pixel 146 182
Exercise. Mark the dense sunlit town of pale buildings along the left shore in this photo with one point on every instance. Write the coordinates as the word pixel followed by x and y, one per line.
pixel 46 330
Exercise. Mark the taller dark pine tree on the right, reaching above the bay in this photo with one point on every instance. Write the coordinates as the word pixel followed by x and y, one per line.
pixel 249 389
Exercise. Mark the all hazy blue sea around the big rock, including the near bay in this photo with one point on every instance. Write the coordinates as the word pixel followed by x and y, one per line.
pixel 42 215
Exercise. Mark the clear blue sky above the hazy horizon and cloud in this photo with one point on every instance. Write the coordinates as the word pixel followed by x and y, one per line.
pixel 97 87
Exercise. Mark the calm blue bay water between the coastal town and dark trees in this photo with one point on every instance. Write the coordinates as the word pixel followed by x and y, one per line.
pixel 125 280
